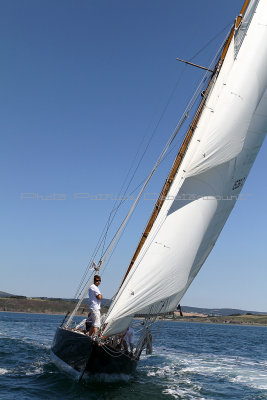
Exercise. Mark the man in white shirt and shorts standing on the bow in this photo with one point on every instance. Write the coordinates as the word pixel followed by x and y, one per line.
pixel 95 298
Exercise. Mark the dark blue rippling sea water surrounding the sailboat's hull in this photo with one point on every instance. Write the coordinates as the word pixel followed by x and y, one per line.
pixel 189 361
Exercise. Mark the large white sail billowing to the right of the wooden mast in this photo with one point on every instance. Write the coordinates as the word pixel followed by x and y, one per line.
pixel 225 143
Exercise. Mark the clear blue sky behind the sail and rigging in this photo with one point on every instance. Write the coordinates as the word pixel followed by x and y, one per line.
pixel 83 83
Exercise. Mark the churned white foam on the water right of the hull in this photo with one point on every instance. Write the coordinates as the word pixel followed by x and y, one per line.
pixel 179 366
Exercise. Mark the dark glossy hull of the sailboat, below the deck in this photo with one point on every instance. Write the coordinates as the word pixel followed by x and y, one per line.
pixel 82 354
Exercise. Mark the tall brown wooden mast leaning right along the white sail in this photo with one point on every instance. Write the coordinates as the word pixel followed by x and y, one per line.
pixel 185 144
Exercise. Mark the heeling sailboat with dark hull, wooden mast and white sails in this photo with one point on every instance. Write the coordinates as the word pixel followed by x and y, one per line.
pixel 201 189
